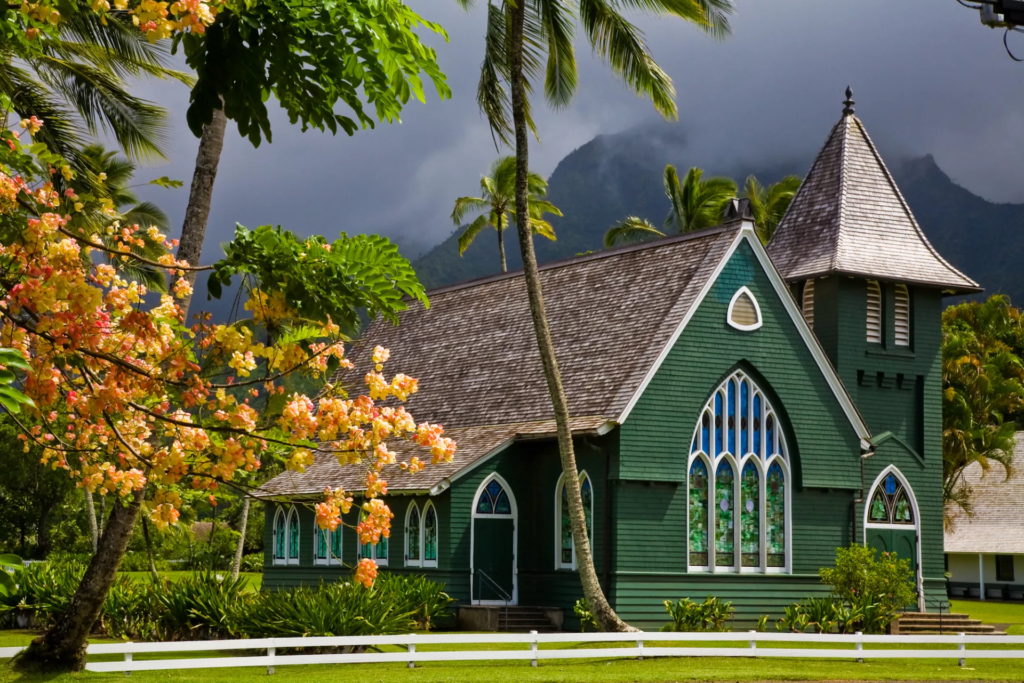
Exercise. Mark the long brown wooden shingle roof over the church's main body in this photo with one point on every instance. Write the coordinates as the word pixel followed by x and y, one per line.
pixel 475 352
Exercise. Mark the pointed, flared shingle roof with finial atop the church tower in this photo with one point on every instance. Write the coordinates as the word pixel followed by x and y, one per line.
pixel 849 218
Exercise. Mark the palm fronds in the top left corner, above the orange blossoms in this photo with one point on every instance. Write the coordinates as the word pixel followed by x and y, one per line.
pixel 76 83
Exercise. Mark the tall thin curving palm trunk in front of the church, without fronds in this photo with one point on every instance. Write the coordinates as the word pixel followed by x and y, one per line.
pixel 607 617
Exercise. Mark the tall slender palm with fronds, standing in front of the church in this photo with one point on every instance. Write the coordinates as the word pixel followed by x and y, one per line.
pixel 518 35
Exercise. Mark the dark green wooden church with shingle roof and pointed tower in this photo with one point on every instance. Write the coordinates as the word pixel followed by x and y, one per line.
pixel 739 413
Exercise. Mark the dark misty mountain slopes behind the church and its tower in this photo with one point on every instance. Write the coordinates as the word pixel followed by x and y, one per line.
pixel 614 177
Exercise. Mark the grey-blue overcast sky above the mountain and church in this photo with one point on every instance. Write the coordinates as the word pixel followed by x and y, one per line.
pixel 926 75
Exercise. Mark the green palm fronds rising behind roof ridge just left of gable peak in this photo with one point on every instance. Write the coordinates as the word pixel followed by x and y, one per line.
pixel 696 204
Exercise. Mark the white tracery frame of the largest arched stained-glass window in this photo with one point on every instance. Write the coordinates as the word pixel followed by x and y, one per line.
pixel 780 452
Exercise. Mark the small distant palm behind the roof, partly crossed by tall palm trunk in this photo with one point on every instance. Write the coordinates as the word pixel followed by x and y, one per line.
pixel 498 203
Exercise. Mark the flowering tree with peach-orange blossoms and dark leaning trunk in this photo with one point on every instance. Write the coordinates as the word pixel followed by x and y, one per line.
pixel 124 396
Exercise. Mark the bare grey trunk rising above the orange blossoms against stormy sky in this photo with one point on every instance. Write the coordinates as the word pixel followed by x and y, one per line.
pixel 201 195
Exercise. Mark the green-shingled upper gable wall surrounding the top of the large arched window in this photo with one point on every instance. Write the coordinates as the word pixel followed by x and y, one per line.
pixel 656 438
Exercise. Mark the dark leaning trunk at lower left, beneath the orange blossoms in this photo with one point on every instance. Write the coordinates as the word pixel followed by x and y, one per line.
pixel 63 647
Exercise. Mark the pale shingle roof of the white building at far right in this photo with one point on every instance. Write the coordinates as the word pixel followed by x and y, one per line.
pixel 997 525
